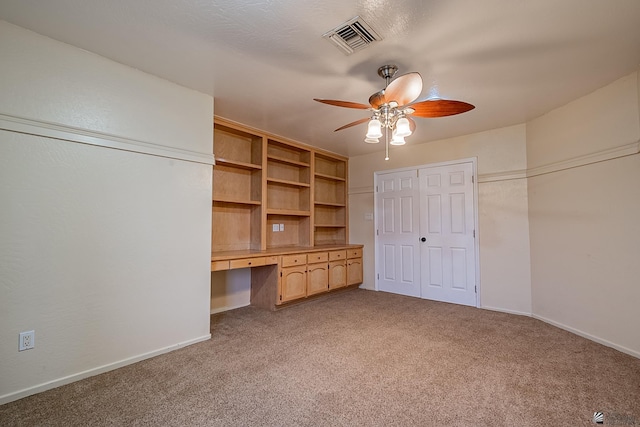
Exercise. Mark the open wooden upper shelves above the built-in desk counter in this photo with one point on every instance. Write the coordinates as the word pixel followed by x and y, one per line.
pixel 269 192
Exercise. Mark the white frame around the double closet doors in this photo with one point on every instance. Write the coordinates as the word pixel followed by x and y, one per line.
pixel 476 240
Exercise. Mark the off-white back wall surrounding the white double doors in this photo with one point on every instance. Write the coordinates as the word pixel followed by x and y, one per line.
pixel 503 222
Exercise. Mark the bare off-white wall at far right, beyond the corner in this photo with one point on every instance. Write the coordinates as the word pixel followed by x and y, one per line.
pixel 584 205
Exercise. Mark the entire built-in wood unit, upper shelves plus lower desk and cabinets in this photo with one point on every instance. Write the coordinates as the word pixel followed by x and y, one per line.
pixel 280 208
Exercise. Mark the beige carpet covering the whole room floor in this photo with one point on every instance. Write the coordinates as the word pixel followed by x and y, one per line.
pixel 358 358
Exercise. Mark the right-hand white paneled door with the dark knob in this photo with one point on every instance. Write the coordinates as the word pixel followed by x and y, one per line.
pixel 447 233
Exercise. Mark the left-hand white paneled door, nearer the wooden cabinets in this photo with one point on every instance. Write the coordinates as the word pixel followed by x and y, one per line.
pixel 398 249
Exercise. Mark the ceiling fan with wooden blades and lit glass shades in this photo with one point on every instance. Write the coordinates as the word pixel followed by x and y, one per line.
pixel 393 106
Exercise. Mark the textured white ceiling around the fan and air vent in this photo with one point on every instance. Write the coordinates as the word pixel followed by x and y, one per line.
pixel 264 61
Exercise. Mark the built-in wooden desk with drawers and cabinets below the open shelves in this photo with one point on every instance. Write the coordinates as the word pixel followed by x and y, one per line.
pixel 283 275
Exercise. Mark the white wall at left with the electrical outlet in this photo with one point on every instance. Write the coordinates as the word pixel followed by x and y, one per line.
pixel 105 186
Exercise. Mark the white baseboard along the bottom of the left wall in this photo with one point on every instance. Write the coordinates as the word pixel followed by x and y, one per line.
pixel 10 397
